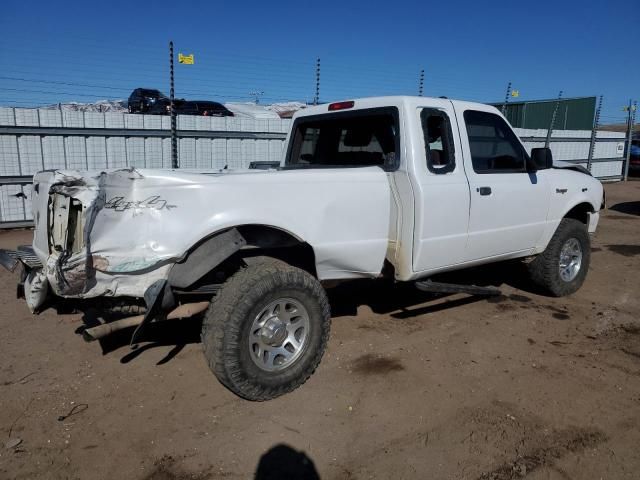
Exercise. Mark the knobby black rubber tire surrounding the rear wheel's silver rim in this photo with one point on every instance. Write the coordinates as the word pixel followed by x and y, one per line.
pixel 229 318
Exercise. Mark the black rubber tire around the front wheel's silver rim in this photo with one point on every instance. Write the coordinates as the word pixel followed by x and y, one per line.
pixel 544 269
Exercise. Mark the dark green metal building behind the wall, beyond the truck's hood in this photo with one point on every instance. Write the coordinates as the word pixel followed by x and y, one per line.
pixel 573 113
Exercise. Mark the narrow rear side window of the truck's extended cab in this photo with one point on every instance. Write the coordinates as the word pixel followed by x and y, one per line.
pixel 438 141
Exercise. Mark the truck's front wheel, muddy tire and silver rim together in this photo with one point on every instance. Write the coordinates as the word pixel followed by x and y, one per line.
pixel 562 267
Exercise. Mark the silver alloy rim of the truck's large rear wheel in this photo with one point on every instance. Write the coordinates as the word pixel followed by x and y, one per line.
pixel 279 334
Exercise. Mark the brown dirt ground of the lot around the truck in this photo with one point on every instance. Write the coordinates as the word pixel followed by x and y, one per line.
pixel 411 386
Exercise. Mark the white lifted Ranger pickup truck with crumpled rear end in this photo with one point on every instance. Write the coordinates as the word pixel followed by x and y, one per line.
pixel 404 187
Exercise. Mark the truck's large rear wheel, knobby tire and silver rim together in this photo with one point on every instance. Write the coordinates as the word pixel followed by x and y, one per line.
pixel 266 329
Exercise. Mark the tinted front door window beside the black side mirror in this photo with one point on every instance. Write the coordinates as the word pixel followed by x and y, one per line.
pixel 494 146
